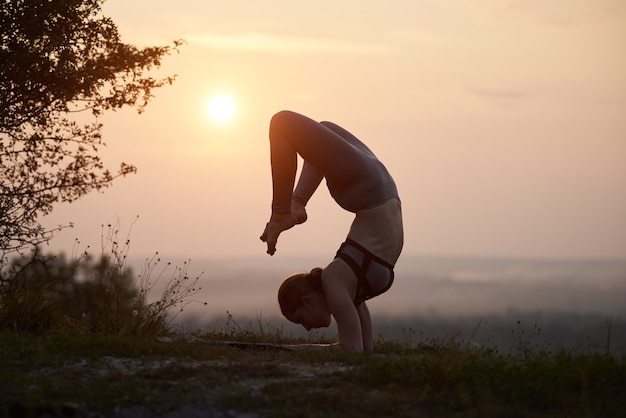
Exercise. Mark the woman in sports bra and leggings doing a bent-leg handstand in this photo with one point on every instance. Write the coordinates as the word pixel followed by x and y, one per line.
pixel 359 183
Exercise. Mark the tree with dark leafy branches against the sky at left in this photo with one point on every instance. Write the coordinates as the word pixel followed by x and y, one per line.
pixel 62 64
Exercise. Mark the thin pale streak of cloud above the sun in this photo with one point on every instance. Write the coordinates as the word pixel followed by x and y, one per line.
pixel 265 42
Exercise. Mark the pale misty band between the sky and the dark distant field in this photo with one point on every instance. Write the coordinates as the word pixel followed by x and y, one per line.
pixel 439 286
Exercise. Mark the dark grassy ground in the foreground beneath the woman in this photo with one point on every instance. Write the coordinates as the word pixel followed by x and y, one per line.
pixel 402 379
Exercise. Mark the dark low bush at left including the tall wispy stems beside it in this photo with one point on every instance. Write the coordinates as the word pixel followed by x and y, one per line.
pixel 97 294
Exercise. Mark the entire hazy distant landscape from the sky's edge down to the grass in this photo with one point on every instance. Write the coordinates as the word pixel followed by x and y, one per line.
pixel 569 304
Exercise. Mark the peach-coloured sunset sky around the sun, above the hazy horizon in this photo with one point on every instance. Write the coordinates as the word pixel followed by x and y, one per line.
pixel 502 122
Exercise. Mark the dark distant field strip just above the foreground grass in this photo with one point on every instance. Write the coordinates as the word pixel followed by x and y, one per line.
pixel 550 331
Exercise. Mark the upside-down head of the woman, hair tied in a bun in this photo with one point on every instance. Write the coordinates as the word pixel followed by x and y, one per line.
pixel 302 300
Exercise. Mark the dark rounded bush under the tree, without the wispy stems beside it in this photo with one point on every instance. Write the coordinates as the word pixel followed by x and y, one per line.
pixel 51 291
